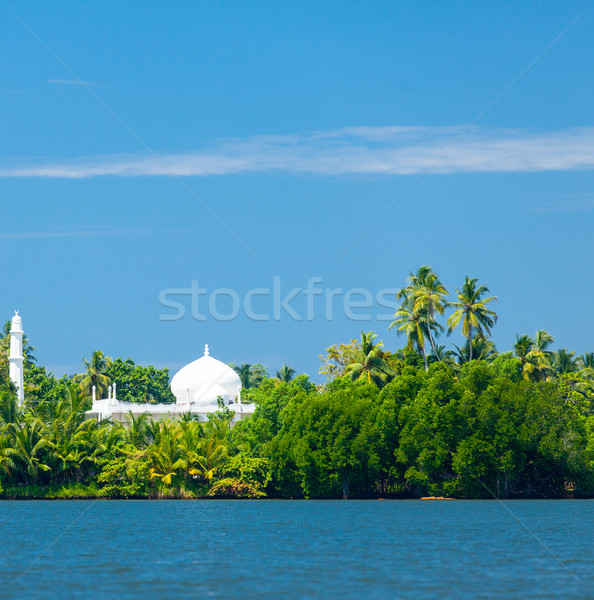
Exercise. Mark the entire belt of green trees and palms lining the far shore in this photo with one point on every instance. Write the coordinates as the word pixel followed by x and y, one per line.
pixel 421 422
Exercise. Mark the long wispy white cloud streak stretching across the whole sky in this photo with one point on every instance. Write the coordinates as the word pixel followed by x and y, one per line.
pixel 352 150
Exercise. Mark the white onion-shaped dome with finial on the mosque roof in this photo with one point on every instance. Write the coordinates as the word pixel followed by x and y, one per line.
pixel 203 381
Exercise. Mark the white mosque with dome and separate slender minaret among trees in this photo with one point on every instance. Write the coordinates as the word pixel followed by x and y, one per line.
pixel 198 387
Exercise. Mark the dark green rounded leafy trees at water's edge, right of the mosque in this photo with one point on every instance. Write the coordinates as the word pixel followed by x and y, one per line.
pixel 481 432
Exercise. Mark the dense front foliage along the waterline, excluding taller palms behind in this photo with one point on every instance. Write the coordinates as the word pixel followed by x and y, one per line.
pixel 481 431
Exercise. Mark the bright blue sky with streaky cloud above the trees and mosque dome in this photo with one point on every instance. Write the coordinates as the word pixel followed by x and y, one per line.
pixel 150 145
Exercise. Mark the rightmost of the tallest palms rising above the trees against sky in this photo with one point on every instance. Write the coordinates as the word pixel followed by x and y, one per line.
pixel 471 311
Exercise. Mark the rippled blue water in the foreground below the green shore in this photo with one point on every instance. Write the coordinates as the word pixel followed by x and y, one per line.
pixel 297 549
